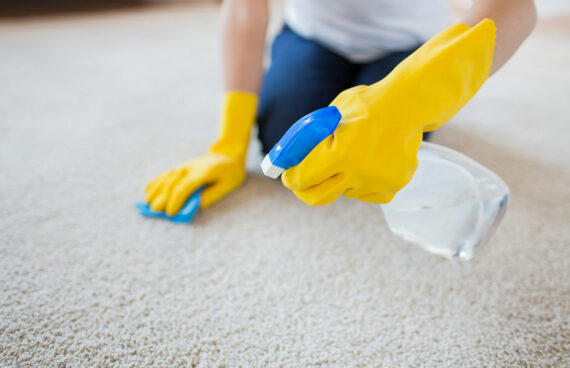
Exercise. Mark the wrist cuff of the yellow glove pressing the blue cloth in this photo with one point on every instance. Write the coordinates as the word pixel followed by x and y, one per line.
pixel 236 120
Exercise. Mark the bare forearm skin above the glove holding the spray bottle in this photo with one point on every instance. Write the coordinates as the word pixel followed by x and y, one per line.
pixel 514 19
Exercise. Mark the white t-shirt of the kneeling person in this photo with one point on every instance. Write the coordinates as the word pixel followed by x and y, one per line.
pixel 363 30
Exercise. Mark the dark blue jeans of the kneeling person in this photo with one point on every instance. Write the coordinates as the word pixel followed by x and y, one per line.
pixel 304 76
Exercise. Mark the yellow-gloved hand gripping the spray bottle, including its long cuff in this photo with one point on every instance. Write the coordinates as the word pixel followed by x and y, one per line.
pixel 372 153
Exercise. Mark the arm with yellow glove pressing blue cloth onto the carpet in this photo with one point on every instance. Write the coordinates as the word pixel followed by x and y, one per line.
pixel 222 169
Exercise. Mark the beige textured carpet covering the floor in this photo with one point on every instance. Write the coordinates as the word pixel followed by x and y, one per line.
pixel 91 107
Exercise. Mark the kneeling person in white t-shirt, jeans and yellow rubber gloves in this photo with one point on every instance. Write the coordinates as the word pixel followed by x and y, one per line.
pixel 367 57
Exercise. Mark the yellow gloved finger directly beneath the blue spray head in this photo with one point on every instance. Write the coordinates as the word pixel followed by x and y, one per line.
pixel 315 169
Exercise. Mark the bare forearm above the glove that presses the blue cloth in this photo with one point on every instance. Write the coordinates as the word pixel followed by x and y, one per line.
pixel 244 25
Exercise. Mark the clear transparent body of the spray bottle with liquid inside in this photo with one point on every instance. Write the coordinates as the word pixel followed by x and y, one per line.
pixel 451 207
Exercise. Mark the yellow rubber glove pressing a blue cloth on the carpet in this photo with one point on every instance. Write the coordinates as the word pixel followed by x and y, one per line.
pixel 222 170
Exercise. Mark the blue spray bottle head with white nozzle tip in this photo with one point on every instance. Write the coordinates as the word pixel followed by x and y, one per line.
pixel 301 138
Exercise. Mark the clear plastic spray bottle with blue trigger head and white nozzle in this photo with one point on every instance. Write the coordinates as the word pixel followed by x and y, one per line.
pixel 451 207
